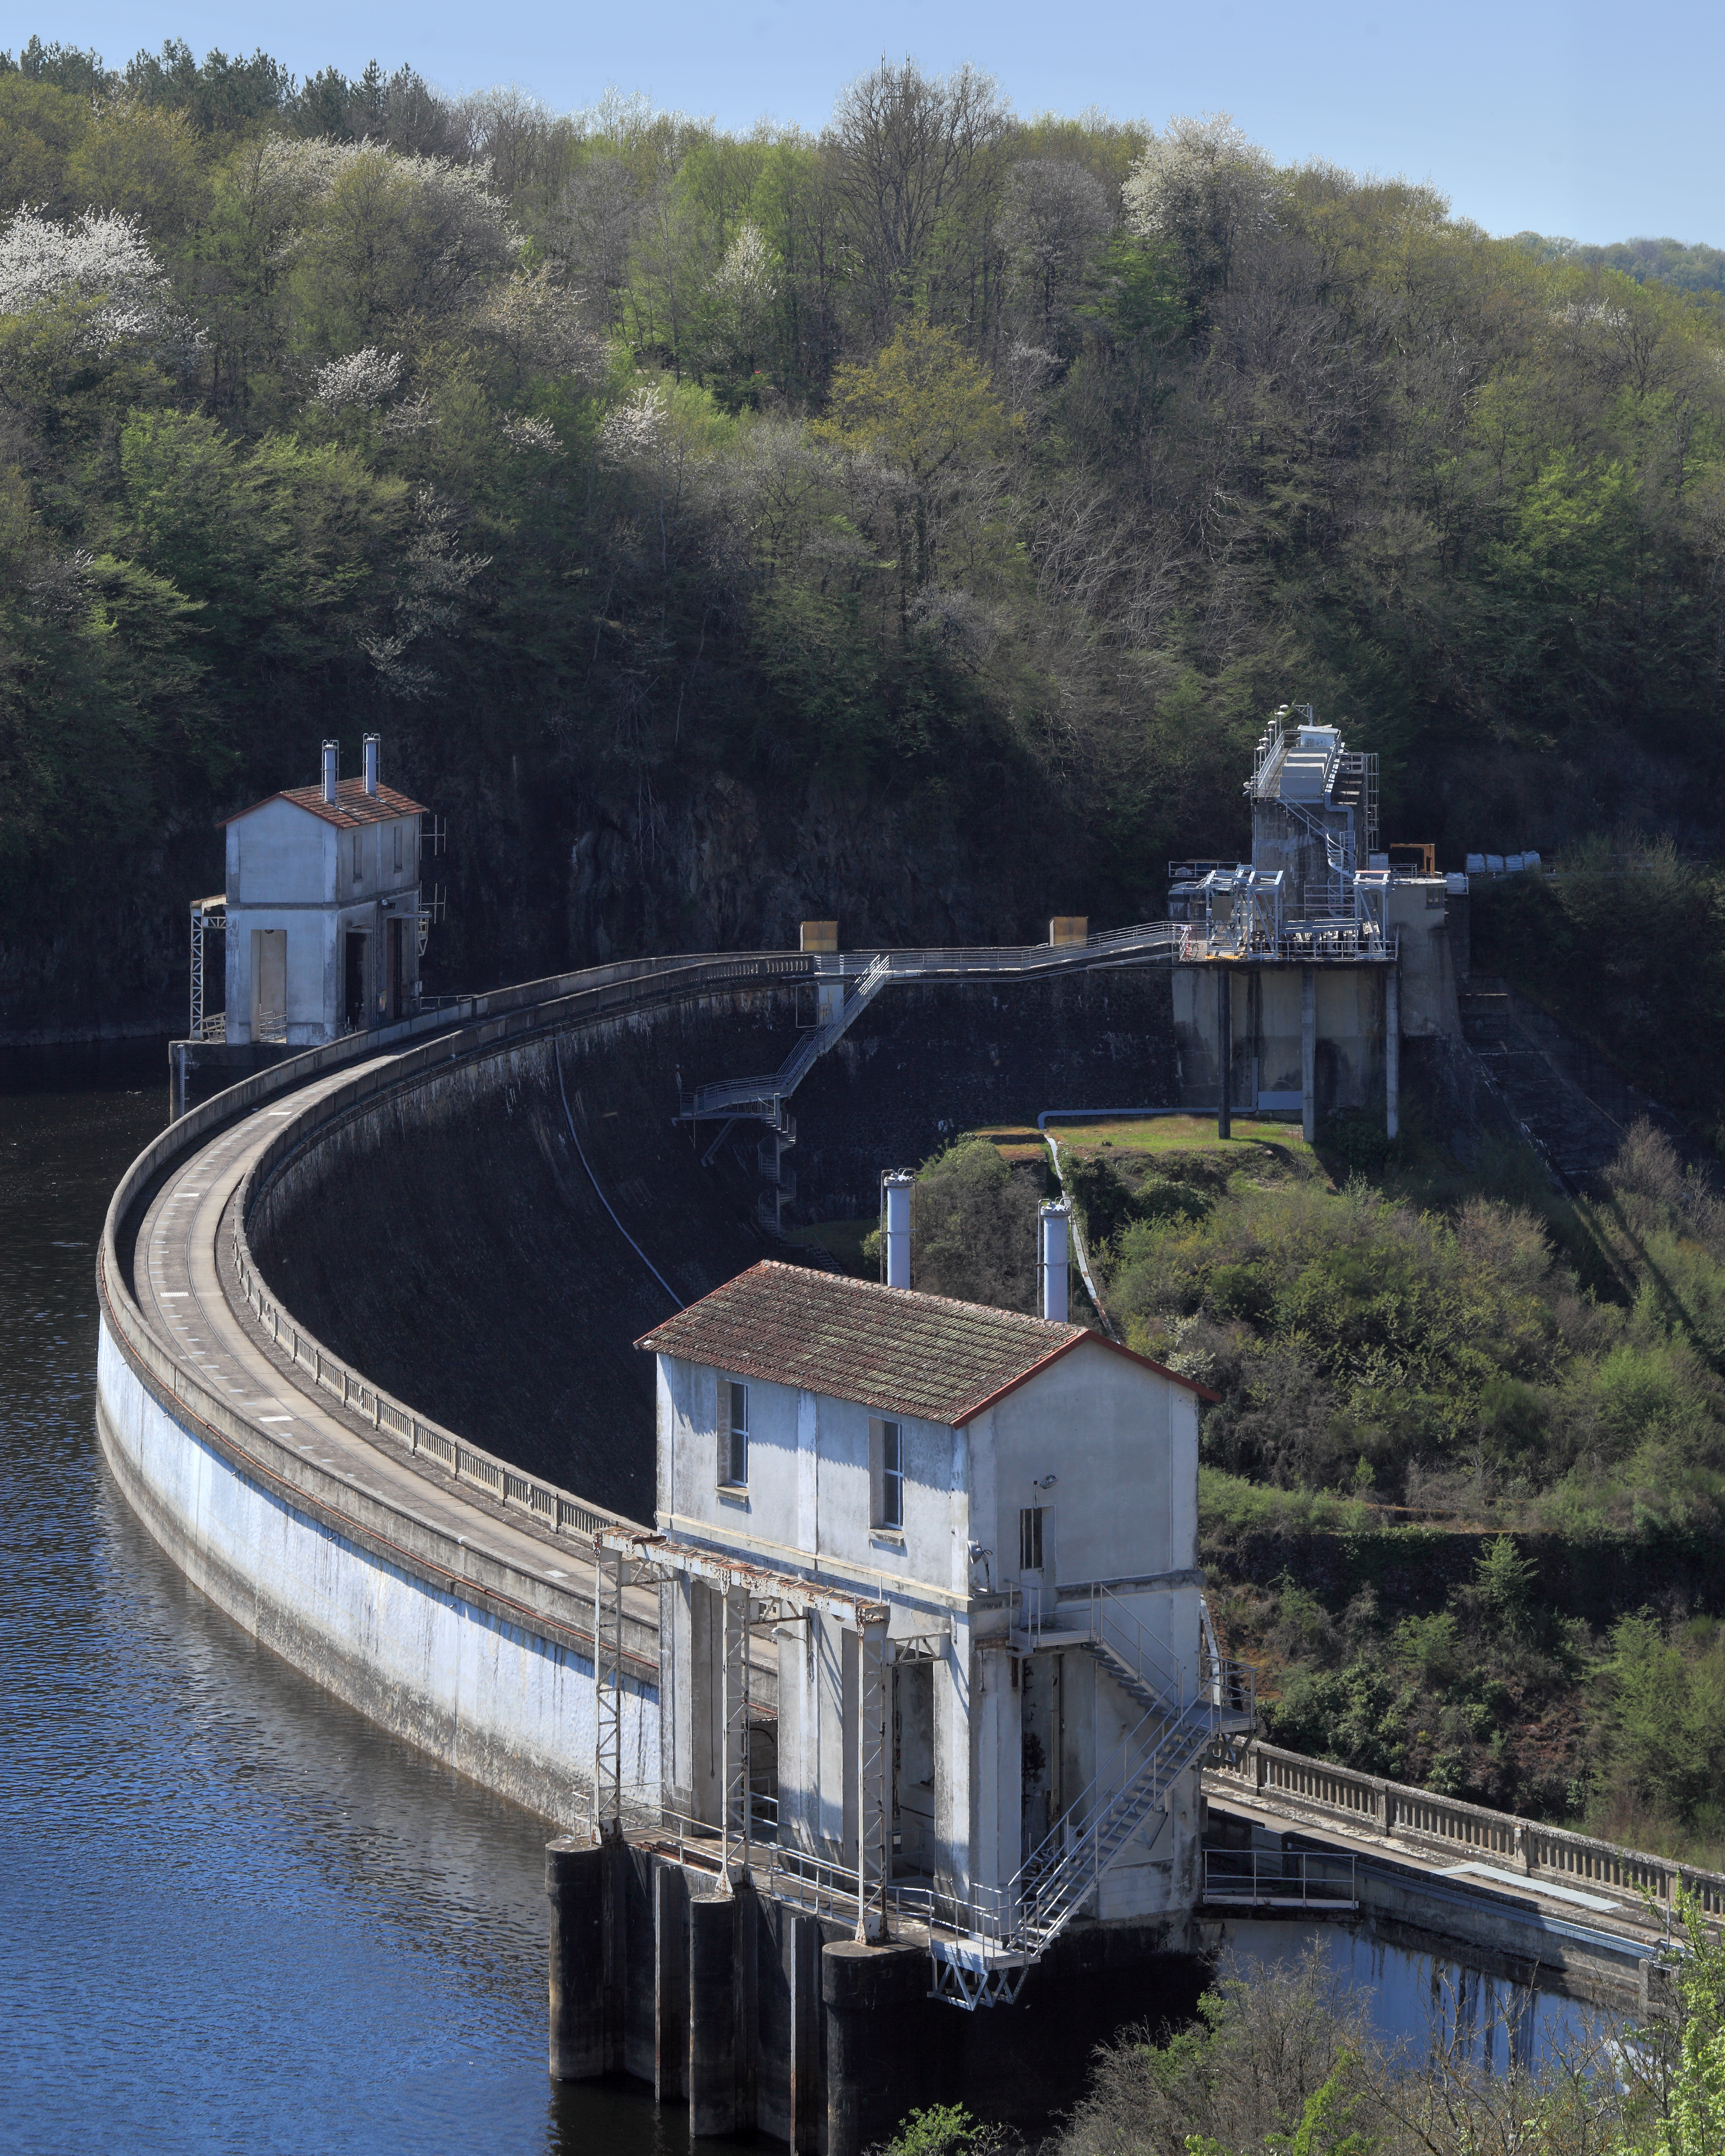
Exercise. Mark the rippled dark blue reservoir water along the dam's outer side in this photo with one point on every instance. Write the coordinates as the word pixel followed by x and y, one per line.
pixel 234 1916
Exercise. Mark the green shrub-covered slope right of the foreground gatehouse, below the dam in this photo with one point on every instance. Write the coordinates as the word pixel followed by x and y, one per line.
pixel 1463 1482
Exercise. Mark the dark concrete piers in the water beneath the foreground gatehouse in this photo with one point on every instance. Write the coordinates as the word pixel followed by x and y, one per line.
pixel 769 2019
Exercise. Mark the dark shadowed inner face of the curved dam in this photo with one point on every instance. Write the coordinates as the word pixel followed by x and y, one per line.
pixel 450 1243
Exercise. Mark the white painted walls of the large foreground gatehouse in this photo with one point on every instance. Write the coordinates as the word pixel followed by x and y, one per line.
pixel 1122 1446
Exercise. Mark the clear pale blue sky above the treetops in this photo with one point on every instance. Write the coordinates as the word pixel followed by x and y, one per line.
pixel 1584 120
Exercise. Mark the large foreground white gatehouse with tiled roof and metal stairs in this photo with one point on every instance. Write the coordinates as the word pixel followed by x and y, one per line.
pixel 967 1540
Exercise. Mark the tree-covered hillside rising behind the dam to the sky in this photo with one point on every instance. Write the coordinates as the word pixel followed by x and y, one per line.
pixel 911 523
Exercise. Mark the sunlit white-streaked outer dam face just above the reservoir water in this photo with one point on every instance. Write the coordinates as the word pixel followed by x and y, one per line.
pixel 398 1635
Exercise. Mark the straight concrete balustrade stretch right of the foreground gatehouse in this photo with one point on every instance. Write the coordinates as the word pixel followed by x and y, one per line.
pixel 1319 1795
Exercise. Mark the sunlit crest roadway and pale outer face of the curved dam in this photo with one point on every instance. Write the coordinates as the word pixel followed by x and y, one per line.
pixel 443 1605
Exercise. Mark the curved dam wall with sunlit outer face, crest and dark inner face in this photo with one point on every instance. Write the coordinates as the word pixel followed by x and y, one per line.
pixel 426 1228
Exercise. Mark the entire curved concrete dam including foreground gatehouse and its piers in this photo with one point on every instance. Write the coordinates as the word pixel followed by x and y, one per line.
pixel 368 1372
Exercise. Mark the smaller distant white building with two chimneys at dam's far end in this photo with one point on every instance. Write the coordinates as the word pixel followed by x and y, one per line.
pixel 322 909
